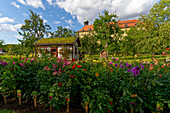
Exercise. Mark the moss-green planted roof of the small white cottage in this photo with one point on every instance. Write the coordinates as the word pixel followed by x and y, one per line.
pixel 58 41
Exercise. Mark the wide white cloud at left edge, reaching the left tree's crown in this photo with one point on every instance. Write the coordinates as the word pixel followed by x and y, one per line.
pixel 9 27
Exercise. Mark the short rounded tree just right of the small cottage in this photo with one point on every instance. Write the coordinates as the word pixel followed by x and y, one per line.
pixel 89 43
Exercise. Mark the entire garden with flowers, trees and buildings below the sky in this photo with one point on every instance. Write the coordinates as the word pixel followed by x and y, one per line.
pixel 111 66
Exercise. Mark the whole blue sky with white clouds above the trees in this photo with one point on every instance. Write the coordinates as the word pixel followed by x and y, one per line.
pixel 66 13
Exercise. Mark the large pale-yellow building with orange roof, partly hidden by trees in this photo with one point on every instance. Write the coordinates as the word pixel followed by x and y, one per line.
pixel 124 25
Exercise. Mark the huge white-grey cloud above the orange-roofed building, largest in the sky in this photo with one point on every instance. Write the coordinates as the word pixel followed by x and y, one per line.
pixel 126 9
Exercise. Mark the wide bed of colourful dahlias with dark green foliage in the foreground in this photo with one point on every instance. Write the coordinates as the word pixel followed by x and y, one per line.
pixel 99 85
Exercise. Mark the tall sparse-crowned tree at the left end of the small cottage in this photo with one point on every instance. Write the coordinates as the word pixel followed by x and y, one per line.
pixel 33 30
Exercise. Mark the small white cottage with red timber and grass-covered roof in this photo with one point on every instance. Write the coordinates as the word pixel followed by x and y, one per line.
pixel 54 46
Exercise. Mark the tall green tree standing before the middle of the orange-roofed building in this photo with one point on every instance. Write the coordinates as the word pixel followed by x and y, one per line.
pixel 107 29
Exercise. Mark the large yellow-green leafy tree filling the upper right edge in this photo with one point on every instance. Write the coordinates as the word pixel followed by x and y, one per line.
pixel 156 27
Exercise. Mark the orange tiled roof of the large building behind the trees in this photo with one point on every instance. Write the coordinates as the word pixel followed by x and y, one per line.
pixel 121 24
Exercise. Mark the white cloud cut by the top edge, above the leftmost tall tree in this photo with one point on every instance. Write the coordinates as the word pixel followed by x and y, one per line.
pixel 33 3
